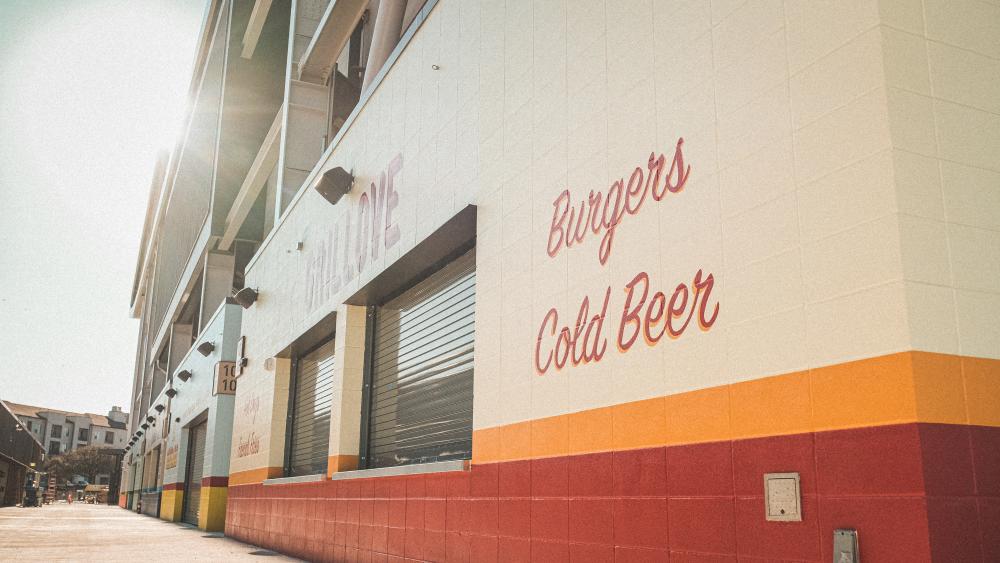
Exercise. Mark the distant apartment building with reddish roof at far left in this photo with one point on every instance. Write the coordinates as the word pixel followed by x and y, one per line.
pixel 61 432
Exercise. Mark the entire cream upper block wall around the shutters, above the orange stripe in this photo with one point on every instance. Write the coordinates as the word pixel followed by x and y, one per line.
pixel 814 165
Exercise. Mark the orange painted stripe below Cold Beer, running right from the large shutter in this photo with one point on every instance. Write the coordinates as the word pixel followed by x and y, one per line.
pixel 892 389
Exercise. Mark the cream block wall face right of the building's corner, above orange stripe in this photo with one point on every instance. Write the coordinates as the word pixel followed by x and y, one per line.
pixel 942 61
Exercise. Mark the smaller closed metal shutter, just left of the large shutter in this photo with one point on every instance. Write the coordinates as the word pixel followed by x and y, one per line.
pixel 311 402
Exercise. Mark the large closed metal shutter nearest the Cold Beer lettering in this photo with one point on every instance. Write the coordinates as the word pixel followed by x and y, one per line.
pixel 421 370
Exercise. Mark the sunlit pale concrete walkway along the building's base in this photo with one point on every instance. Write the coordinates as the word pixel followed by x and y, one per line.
pixel 86 532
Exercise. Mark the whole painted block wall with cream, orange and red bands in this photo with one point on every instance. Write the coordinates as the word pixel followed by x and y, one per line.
pixel 841 193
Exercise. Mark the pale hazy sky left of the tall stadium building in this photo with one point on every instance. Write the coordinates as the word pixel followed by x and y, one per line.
pixel 90 90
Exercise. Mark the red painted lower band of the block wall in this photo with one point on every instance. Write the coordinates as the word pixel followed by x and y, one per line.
pixel 914 492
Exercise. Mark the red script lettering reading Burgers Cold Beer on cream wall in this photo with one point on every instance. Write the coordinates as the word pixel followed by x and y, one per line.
pixel 652 317
